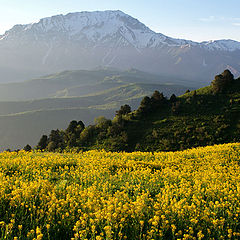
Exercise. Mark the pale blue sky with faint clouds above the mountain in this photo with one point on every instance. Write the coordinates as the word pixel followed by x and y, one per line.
pixel 197 20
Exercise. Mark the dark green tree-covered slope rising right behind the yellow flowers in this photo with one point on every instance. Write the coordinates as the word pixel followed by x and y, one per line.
pixel 207 116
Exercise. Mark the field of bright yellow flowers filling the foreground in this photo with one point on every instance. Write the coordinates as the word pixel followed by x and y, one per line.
pixel 193 194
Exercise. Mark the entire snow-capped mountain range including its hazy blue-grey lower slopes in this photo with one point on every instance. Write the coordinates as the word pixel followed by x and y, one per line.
pixel 108 38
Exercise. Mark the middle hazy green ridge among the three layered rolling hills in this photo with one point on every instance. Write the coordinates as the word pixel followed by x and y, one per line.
pixel 110 98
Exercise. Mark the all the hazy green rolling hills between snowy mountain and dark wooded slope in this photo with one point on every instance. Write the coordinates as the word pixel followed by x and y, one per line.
pixel 32 108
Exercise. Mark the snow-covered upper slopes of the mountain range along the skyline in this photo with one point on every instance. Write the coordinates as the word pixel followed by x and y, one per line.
pixel 107 27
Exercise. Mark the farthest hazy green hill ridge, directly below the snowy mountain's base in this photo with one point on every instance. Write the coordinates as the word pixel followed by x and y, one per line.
pixel 78 83
